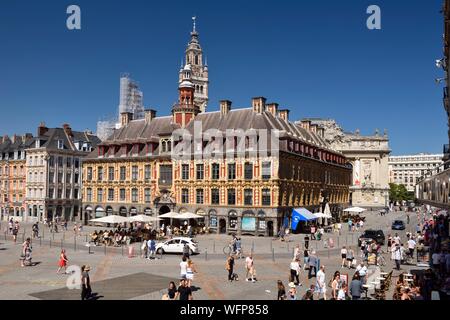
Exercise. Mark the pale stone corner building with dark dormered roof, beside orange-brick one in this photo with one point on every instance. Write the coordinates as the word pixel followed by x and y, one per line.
pixel 53 165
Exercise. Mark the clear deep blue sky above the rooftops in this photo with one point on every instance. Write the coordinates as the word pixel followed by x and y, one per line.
pixel 316 58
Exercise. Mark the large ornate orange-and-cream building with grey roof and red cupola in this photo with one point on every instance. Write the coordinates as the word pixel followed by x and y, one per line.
pixel 133 172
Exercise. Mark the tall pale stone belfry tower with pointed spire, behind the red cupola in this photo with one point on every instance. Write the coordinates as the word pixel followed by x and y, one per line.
pixel 199 71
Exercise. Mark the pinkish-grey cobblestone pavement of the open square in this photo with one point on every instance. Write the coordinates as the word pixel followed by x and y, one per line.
pixel 116 276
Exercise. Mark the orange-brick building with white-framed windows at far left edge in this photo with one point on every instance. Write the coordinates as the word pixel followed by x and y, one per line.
pixel 13 175
